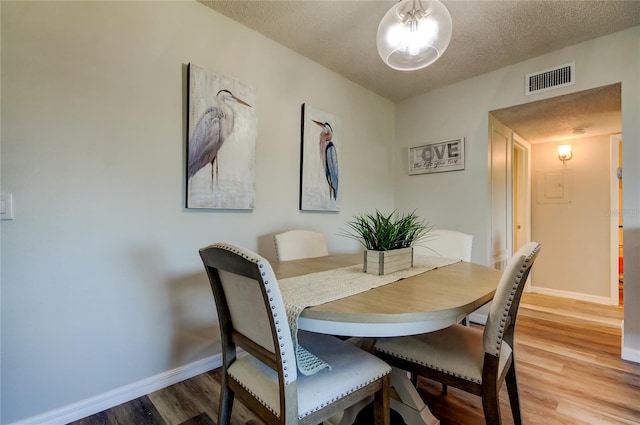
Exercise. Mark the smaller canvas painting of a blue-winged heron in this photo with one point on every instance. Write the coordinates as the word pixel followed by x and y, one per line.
pixel 320 154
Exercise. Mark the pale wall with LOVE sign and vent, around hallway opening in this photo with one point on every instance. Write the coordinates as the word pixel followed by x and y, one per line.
pixel 460 200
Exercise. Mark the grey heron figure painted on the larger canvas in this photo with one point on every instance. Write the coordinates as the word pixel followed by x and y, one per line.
pixel 213 128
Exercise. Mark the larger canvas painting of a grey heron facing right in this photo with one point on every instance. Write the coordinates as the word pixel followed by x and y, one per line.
pixel 221 142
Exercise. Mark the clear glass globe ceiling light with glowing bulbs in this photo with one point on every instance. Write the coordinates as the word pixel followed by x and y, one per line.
pixel 413 34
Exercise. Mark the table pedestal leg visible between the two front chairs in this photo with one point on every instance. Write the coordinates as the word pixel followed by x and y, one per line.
pixel 410 406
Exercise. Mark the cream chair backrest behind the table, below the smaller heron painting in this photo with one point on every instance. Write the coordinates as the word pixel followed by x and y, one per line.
pixel 296 244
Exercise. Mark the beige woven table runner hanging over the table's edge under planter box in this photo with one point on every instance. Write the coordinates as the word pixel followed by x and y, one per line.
pixel 318 288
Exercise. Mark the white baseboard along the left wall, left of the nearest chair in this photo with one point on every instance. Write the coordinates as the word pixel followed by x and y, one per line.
pixel 93 405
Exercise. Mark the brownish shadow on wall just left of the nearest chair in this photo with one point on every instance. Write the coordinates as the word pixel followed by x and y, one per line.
pixel 196 333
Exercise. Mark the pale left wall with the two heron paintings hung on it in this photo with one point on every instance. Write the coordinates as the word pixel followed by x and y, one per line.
pixel 102 285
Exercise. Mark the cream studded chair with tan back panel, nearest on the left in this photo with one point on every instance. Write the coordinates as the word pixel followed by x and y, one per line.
pixel 252 317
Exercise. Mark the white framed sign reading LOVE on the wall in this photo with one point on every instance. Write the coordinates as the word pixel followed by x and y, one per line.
pixel 436 157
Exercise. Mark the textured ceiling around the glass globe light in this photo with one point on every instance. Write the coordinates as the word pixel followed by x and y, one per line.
pixel 487 35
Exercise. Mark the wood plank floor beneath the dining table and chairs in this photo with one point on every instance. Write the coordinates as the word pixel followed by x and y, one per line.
pixel 569 372
